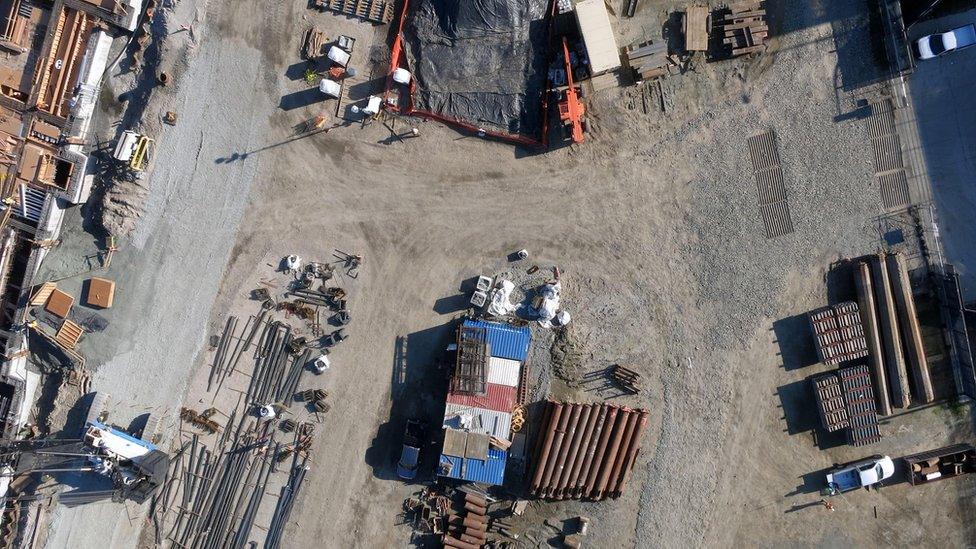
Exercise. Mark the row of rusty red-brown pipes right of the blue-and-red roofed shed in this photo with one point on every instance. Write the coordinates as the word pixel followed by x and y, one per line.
pixel 585 451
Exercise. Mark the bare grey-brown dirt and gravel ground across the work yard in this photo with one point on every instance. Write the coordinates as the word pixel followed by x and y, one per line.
pixel 653 222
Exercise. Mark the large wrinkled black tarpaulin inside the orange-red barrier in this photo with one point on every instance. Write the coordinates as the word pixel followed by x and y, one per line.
pixel 479 60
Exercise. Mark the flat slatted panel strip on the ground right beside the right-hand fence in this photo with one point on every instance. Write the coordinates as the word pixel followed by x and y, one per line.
pixel 889 164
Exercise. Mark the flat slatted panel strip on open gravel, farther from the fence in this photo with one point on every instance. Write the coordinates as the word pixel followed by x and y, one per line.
pixel 771 189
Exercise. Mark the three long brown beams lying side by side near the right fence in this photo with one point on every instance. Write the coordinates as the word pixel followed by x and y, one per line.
pixel 892 331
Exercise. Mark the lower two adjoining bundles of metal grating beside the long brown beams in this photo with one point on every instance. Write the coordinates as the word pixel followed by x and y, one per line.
pixel 845 400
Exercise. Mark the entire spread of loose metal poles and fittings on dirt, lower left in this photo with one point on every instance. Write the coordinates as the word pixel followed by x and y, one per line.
pixel 221 477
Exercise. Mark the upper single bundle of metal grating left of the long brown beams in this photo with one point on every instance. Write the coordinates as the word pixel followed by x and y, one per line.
pixel 838 333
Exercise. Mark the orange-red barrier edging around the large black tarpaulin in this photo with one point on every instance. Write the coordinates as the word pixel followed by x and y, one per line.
pixel 396 54
